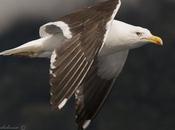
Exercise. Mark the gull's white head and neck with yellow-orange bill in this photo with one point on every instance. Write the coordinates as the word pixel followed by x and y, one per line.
pixel 126 36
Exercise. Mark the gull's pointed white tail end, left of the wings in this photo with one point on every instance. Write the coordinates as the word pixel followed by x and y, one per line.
pixel 42 47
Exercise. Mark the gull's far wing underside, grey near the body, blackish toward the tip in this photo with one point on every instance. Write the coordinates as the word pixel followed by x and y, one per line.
pixel 94 90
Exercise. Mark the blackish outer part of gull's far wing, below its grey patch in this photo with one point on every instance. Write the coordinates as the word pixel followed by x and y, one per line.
pixel 90 97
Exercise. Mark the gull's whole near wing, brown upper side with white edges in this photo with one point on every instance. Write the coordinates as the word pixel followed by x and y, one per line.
pixel 85 32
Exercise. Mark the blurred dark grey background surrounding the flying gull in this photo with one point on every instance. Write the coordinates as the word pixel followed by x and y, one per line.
pixel 143 97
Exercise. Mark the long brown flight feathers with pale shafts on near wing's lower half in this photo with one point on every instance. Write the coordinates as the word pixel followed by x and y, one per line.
pixel 67 72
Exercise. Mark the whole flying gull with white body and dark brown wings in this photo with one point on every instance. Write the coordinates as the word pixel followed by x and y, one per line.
pixel 87 51
